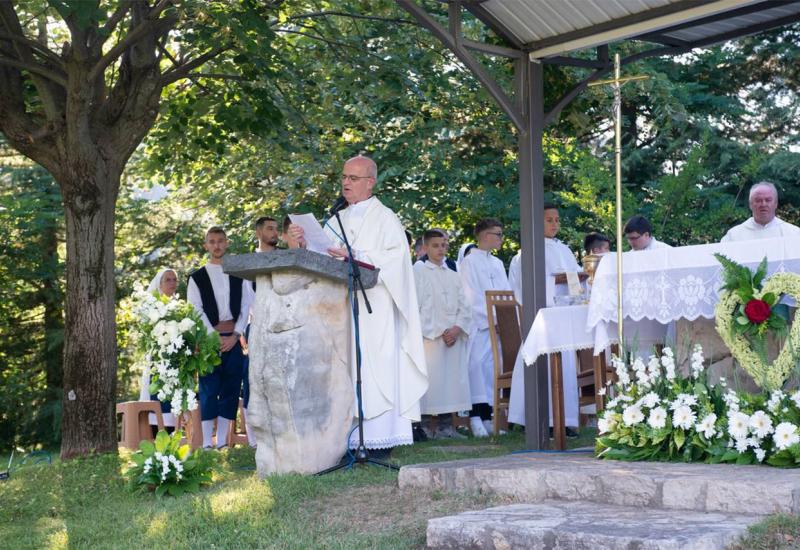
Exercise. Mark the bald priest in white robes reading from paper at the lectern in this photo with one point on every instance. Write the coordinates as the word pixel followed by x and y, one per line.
pixel 393 360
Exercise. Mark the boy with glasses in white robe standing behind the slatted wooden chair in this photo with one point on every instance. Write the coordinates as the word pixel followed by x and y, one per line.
pixel 481 271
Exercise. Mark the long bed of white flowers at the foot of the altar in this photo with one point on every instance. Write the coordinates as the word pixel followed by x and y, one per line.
pixel 668 416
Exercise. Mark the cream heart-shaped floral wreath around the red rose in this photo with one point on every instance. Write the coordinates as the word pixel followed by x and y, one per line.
pixel 769 376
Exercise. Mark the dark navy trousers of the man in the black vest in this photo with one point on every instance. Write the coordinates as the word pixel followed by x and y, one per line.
pixel 220 390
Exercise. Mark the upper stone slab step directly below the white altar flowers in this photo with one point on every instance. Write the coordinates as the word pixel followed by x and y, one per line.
pixel 758 490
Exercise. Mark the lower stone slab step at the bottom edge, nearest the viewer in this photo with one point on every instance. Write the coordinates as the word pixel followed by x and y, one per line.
pixel 582 525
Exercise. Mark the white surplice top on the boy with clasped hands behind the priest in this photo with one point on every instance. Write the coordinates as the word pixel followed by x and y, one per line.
pixel 442 303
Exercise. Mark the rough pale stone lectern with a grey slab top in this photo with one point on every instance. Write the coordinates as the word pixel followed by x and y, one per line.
pixel 301 388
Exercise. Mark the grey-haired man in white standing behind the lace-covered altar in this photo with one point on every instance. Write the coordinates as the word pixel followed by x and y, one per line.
pixel 763 224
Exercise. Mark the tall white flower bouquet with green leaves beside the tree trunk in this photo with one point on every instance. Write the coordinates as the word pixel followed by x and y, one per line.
pixel 175 346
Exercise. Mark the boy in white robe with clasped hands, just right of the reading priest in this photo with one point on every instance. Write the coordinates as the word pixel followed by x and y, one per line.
pixel 445 317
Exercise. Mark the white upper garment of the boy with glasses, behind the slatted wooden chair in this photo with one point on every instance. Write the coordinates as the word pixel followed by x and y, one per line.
pixel 480 271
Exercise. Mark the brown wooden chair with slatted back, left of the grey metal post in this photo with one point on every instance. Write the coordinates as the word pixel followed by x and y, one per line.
pixel 505 314
